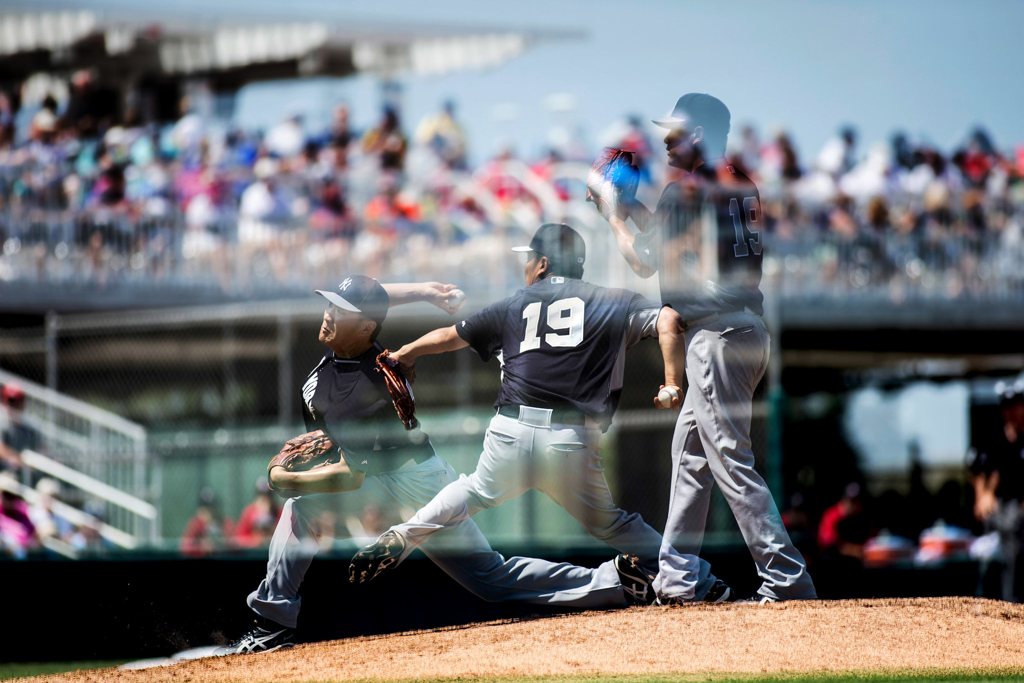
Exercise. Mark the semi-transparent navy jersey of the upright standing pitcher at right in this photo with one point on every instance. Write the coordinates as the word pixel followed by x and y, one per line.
pixel 699 210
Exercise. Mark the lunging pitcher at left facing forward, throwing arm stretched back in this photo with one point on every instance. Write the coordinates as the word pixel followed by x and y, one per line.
pixel 355 435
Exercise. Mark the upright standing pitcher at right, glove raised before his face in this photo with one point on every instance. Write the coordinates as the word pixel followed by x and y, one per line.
pixel 705 240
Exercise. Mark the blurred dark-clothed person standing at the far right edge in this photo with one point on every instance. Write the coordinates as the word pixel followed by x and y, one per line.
pixel 998 476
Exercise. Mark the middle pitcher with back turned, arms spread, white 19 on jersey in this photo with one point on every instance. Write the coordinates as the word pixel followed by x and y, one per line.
pixel 562 343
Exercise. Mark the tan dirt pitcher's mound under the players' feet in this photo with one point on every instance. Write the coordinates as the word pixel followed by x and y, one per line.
pixel 953 634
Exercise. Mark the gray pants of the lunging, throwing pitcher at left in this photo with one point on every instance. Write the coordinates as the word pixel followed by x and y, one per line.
pixel 462 552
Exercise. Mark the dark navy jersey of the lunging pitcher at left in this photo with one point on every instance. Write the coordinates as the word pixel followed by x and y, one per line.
pixel 348 399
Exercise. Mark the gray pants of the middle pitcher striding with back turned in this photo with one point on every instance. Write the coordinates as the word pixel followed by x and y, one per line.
pixel 563 461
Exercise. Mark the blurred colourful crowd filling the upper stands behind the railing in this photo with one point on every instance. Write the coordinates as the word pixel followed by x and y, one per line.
pixel 91 196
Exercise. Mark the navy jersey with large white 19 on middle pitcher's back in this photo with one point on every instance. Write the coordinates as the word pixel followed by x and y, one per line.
pixel 561 343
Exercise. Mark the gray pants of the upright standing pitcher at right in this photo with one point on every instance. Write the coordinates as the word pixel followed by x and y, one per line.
pixel 726 360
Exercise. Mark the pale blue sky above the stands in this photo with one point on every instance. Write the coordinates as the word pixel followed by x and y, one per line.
pixel 934 69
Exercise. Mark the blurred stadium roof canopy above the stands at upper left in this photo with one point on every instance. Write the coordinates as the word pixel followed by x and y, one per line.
pixel 231 47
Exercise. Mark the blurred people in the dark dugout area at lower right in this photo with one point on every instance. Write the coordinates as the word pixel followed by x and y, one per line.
pixel 973 516
